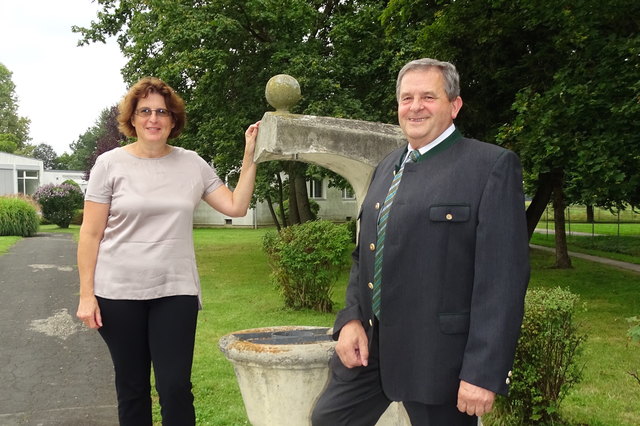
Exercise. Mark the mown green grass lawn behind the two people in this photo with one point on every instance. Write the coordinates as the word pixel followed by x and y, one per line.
pixel 238 295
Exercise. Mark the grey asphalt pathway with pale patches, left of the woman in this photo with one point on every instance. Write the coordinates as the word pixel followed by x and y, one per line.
pixel 53 371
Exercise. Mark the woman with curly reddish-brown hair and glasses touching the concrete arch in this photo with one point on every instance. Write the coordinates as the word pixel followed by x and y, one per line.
pixel 139 284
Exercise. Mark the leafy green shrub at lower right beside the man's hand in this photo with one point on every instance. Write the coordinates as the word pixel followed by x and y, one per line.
pixel 546 363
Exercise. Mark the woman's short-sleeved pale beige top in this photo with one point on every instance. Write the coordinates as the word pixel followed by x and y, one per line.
pixel 147 249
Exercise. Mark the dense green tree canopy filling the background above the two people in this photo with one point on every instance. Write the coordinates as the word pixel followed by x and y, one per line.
pixel 557 82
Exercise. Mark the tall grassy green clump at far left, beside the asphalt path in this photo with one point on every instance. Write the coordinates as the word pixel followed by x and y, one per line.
pixel 18 217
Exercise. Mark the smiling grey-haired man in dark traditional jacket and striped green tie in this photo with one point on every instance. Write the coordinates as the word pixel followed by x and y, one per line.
pixel 436 326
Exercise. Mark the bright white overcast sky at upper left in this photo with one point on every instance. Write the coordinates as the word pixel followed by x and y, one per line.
pixel 60 87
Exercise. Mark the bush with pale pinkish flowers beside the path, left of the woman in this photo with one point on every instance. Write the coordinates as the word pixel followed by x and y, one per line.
pixel 59 202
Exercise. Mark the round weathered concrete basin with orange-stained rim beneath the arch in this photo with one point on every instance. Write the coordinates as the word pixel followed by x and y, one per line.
pixel 280 384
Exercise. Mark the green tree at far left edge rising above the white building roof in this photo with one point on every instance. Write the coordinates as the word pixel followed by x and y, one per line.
pixel 10 122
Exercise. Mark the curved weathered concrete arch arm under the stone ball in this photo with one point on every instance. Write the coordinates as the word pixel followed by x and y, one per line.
pixel 351 148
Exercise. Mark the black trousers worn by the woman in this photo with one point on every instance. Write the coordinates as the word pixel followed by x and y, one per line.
pixel 159 331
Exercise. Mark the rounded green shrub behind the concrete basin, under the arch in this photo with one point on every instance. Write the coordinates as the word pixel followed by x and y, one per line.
pixel 306 260
